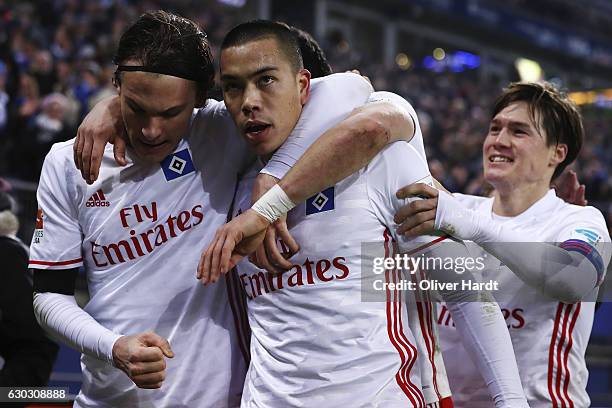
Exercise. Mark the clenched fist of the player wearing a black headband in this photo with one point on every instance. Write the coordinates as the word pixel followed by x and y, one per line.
pixel 141 357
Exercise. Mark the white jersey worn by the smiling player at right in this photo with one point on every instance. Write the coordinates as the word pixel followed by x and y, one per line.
pixel 549 337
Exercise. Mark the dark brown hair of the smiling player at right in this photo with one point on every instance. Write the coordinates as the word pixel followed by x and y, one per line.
pixel 559 116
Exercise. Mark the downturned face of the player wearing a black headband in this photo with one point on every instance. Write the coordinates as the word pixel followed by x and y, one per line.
pixel 156 112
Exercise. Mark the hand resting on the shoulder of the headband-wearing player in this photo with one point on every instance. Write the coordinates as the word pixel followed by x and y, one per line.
pixel 102 125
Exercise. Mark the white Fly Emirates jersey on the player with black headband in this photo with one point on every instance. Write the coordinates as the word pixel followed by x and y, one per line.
pixel 138 231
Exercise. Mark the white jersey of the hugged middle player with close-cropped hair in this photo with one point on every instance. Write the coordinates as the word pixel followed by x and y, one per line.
pixel 314 341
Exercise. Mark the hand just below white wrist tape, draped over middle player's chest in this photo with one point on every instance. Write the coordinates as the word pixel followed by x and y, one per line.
pixel 235 240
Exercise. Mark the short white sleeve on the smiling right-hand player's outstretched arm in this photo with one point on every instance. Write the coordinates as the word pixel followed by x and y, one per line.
pixel 584 231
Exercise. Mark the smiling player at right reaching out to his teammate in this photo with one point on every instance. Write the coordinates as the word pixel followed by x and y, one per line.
pixel 551 255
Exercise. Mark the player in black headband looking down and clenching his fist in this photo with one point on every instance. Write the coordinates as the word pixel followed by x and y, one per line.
pixel 136 230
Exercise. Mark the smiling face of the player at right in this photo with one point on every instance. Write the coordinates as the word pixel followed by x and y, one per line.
pixel 515 151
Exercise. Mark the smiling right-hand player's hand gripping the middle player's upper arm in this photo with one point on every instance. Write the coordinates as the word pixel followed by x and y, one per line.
pixel 417 217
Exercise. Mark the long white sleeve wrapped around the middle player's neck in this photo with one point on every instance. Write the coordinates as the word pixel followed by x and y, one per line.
pixel 332 99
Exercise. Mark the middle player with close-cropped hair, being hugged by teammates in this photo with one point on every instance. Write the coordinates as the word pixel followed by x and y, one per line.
pixel 314 341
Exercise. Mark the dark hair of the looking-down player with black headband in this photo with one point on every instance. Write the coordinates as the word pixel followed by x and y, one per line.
pixel 159 39
